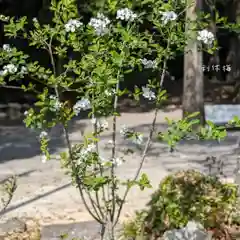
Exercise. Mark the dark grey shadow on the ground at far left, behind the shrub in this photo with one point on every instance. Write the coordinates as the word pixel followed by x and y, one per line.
pixel 17 142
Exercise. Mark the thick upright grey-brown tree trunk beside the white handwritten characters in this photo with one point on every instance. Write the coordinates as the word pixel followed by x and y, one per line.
pixel 193 86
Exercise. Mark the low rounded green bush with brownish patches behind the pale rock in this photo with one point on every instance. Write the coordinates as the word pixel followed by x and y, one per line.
pixel 181 197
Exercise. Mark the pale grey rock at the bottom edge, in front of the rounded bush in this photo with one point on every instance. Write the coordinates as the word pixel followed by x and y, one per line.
pixel 193 231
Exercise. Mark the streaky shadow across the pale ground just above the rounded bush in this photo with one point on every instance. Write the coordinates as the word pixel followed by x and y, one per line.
pixel 205 156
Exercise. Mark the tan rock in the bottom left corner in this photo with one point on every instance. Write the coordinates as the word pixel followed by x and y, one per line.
pixel 11 226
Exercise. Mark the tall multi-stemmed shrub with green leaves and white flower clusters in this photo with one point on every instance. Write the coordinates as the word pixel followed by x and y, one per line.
pixel 98 56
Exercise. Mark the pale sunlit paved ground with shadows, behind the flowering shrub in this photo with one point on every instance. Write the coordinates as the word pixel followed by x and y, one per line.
pixel 44 191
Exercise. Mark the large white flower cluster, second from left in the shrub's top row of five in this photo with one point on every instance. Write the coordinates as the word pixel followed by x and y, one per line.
pixel 100 24
